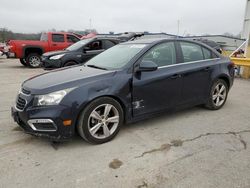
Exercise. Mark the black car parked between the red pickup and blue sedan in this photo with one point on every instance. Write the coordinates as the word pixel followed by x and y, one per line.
pixel 77 53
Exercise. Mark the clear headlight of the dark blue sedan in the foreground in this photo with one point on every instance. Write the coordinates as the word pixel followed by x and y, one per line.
pixel 51 98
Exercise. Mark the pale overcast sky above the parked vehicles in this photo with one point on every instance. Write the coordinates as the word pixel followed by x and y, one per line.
pixel 195 17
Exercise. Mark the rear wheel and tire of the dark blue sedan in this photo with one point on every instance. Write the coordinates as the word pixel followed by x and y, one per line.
pixel 218 95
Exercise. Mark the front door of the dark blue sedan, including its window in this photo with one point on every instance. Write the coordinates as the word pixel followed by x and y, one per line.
pixel 160 89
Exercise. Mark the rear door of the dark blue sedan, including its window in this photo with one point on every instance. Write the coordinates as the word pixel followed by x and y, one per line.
pixel 196 66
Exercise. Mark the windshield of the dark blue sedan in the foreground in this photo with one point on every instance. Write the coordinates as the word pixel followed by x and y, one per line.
pixel 116 57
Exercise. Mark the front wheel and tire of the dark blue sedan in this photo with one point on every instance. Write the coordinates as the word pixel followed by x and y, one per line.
pixel 100 121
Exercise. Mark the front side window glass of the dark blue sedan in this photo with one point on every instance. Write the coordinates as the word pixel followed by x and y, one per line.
pixel 162 54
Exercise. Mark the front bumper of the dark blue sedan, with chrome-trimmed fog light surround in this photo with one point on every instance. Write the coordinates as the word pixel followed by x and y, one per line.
pixel 45 121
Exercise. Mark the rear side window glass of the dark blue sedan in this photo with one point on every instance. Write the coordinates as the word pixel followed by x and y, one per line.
pixel 191 51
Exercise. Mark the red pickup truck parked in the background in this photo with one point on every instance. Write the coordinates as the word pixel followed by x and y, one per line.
pixel 29 51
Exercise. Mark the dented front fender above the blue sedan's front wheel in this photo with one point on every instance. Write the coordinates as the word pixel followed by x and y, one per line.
pixel 118 87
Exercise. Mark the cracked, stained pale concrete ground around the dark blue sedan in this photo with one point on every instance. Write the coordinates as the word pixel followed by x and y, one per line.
pixel 190 148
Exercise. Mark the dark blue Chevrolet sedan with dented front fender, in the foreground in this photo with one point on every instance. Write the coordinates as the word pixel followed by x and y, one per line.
pixel 126 83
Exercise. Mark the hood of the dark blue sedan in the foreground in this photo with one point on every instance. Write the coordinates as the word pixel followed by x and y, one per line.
pixel 64 78
